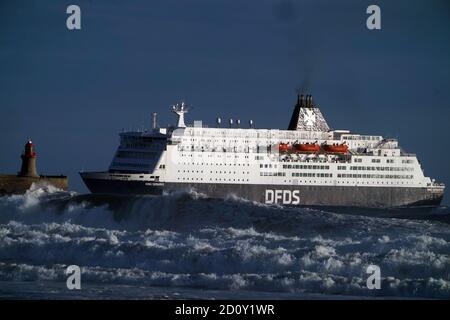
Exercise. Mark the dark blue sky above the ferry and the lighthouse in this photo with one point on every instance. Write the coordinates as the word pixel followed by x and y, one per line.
pixel 73 91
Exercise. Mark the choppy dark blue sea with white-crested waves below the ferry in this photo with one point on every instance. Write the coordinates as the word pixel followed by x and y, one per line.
pixel 186 245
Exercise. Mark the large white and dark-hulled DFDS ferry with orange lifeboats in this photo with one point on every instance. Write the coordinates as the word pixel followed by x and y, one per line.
pixel 308 164
